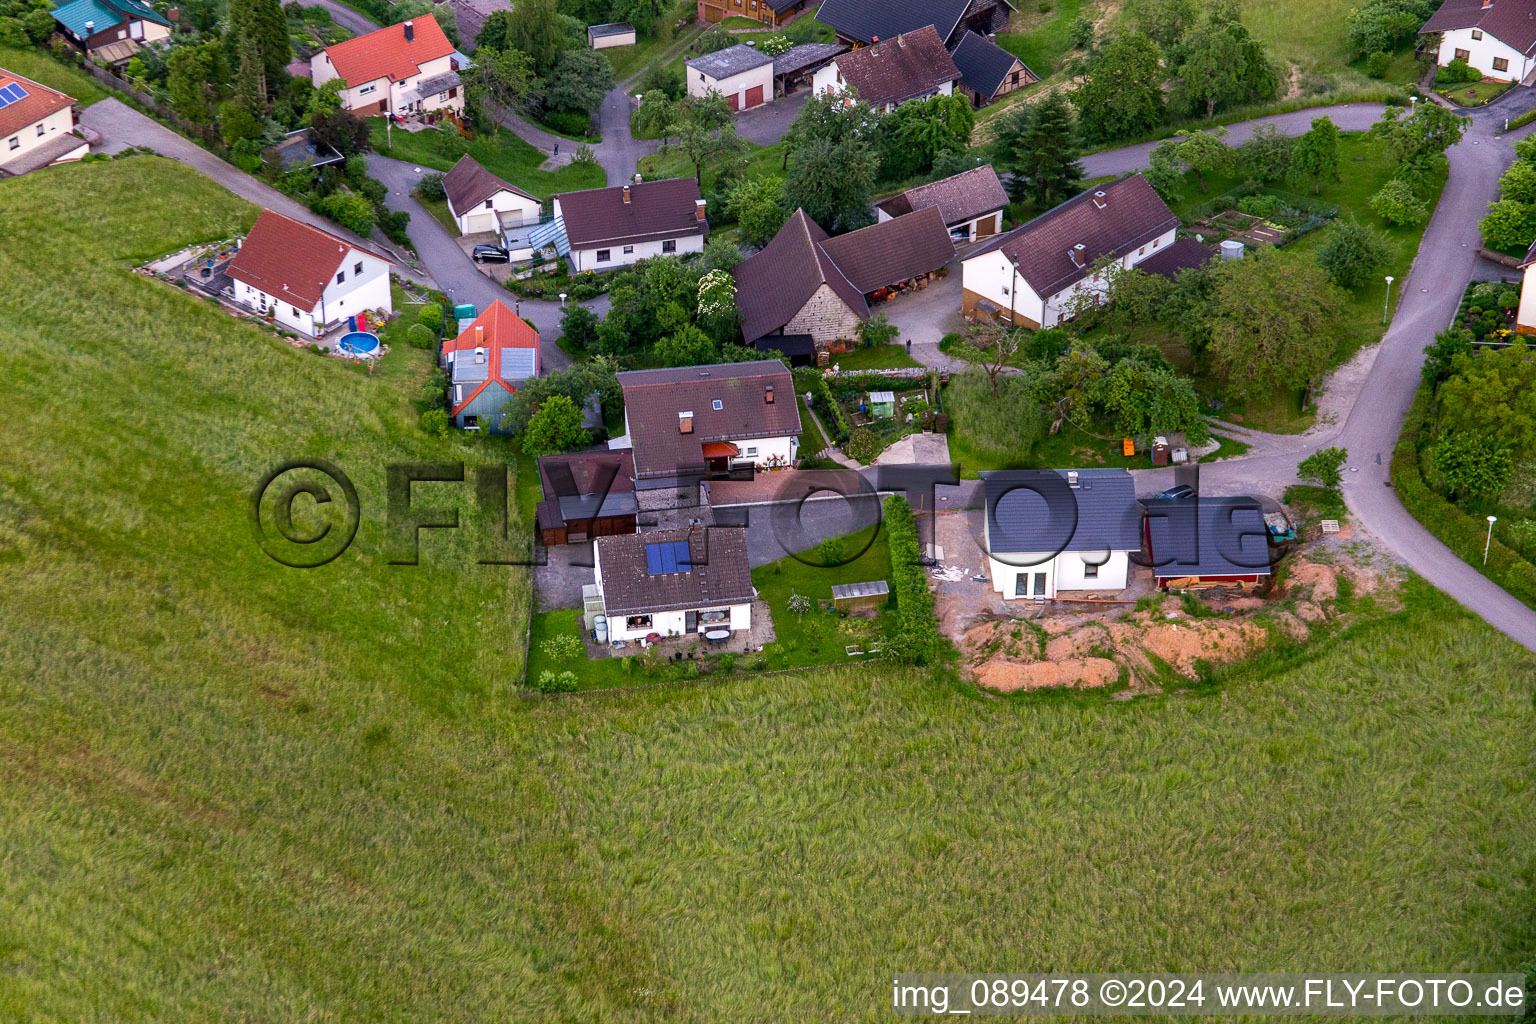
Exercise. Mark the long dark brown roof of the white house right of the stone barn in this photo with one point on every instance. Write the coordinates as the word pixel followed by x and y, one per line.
pixel 1110 220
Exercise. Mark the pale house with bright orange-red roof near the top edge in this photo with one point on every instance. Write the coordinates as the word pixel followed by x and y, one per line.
pixel 408 68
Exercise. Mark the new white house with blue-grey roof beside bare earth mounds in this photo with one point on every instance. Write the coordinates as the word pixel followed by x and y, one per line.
pixel 1061 530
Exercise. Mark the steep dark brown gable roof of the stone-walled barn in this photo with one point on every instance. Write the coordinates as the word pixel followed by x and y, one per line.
pixel 773 285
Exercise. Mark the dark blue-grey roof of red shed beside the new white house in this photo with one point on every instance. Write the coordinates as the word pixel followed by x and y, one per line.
pixel 1208 537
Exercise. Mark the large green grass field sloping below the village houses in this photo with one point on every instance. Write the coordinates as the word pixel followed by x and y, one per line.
pixel 237 791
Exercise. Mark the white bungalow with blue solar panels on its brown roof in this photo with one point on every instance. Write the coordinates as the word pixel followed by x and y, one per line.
pixel 675 583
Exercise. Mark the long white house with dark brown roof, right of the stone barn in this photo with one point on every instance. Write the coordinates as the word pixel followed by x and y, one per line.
pixel 1028 276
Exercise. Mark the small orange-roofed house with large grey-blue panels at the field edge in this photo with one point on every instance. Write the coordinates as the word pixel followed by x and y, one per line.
pixel 488 363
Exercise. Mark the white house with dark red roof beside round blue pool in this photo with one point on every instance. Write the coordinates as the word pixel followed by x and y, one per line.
pixel 308 279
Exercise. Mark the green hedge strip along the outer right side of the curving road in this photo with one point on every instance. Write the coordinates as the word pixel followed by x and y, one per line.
pixel 1457 530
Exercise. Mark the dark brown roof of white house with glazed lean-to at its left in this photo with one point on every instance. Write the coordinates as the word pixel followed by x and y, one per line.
pixel 657 210
